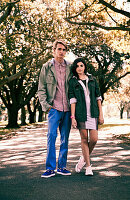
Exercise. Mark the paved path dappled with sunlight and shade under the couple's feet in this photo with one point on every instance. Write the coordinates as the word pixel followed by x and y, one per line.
pixel 23 160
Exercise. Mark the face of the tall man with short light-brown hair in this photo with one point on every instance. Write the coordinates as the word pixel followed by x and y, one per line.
pixel 60 51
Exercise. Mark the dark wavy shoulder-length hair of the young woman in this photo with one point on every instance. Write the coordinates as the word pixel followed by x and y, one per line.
pixel 74 66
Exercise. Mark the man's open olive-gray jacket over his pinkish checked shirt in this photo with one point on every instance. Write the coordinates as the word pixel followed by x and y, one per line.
pixel 48 83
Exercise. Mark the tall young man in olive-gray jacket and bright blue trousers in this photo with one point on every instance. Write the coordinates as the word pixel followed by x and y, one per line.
pixel 53 97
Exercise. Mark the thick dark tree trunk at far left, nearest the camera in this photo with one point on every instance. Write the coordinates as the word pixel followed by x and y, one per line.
pixel 12 117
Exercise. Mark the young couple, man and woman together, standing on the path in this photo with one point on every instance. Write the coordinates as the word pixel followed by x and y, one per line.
pixel 61 85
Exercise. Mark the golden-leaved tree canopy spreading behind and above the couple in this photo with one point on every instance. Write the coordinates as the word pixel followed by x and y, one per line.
pixel 28 29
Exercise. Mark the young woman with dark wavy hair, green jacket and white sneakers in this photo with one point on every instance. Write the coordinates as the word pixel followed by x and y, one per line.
pixel 86 110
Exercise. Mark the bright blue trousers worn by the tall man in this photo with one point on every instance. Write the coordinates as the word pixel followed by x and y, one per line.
pixel 62 120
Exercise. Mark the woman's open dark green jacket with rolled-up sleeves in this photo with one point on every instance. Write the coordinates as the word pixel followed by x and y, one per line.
pixel 76 91
